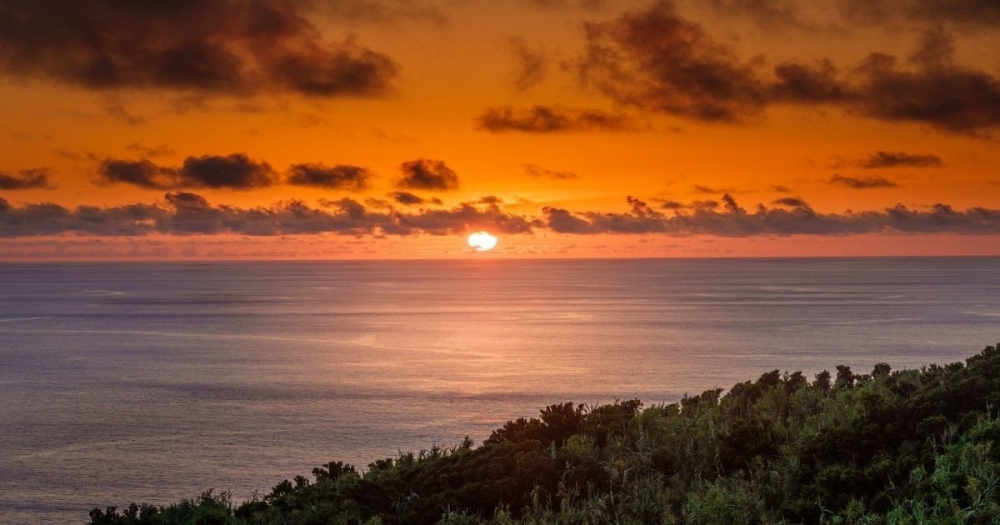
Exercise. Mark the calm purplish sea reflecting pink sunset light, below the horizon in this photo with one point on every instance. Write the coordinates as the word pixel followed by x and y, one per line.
pixel 155 381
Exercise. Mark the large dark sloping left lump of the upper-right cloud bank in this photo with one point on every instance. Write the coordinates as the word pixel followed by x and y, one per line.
pixel 656 60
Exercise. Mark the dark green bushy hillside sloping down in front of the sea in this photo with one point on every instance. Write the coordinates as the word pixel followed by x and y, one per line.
pixel 893 447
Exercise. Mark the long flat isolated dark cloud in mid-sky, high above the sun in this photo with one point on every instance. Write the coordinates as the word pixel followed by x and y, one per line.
pixel 549 119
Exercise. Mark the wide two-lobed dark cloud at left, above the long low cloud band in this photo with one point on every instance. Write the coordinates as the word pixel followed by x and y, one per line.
pixel 235 171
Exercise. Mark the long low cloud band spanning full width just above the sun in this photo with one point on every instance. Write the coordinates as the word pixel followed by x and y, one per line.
pixel 183 213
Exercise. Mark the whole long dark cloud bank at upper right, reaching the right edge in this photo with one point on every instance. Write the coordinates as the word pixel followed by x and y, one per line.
pixel 658 61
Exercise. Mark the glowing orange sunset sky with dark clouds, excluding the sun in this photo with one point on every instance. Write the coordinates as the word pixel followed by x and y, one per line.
pixel 309 129
